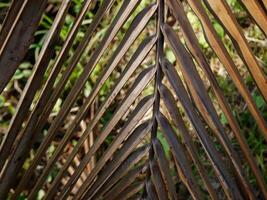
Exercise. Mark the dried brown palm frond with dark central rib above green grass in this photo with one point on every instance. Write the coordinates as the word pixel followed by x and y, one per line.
pixel 156 137
